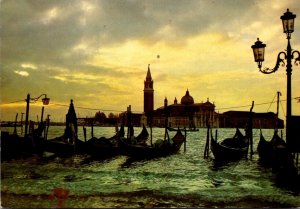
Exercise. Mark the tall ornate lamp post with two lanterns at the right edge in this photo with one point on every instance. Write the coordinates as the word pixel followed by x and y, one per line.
pixel 258 52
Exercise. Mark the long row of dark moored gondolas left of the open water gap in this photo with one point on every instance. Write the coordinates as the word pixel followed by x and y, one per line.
pixel 69 144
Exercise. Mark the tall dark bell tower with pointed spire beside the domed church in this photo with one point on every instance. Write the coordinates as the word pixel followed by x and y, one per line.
pixel 148 93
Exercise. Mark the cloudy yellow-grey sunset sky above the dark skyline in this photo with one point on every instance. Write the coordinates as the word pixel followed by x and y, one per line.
pixel 97 52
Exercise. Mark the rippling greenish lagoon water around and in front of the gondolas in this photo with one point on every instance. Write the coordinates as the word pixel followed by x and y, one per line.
pixel 185 179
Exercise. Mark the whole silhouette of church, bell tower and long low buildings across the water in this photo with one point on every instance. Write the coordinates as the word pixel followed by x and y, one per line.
pixel 188 114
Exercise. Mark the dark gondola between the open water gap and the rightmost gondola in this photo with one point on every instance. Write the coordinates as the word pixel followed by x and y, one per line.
pixel 233 148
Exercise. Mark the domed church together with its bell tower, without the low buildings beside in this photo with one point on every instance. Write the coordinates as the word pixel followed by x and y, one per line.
pixel 186 114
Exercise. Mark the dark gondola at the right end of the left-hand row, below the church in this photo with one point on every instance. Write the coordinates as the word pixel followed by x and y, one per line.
pixel 160 148
